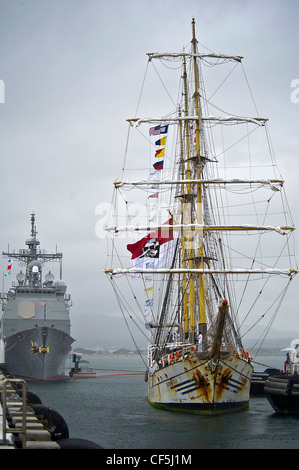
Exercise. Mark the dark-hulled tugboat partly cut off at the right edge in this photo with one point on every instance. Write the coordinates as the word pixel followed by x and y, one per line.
pixel 282 390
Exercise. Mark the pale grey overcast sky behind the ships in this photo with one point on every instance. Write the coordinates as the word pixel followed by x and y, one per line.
pixel 72 71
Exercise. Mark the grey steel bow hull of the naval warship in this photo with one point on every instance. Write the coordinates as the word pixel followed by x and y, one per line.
pixel 21 361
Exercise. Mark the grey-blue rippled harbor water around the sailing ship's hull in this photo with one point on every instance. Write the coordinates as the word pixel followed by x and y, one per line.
pixel 112 410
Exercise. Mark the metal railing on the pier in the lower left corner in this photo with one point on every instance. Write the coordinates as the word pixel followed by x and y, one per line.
pixel 6 394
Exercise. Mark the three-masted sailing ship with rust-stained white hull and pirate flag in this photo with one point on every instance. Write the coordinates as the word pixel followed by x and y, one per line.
pixel 199 229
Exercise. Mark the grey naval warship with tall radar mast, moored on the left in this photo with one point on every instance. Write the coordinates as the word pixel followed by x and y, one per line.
pixel 35 325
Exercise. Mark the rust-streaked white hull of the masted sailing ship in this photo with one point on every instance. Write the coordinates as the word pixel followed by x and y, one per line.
pixel 198 385
